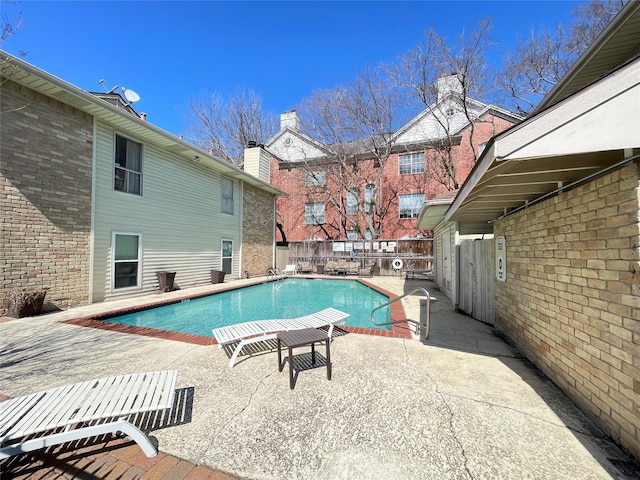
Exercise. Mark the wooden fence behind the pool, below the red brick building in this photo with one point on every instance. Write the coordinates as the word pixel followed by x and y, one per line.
pixel 384 254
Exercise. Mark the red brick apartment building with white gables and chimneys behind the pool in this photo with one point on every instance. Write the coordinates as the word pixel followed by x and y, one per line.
pixel 343 193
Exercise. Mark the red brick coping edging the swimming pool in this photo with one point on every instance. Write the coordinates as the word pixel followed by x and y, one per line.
pixel 398 330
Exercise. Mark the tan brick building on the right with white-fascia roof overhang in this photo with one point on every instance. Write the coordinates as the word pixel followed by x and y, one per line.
pixel 561 193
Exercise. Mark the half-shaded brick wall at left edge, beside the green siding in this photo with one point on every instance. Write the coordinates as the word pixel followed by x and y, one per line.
pixel 45 164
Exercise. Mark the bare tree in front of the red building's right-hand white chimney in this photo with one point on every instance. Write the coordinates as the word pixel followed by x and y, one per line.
pixel 443 77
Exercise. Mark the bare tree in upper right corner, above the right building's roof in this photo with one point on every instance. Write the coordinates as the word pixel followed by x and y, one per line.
pixel 542 59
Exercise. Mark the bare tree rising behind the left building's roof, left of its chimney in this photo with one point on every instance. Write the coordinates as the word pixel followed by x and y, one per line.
pixel 225 126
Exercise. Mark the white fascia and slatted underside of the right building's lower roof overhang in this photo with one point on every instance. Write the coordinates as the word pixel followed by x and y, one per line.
pixel 573 140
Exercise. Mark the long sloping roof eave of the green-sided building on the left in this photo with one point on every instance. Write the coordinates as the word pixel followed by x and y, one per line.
pixel 36 79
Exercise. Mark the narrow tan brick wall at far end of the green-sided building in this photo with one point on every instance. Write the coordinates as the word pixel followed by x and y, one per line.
pixel 258 231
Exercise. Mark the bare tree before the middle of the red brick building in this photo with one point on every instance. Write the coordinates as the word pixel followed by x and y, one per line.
pixel 355 121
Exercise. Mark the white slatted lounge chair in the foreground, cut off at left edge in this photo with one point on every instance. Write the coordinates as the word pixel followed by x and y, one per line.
pixel 94 407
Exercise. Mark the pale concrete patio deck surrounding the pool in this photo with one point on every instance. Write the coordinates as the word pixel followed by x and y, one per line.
pixel 463 404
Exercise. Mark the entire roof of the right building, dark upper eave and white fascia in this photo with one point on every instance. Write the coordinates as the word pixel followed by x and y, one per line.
pixel 573 135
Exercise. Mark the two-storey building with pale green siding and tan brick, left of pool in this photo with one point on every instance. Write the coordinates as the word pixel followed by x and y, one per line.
pixel 96 201
